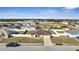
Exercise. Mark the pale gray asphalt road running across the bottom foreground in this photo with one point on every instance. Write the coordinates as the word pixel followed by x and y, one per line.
pixel 40 48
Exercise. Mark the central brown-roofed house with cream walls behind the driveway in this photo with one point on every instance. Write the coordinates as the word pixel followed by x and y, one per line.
pixel 39 33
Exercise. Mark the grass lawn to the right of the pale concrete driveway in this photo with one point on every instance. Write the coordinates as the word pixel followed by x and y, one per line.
pixel 63 40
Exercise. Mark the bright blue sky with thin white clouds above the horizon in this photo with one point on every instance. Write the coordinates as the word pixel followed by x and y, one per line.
pixel 40 12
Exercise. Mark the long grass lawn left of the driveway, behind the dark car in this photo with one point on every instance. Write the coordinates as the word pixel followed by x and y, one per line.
pixel 21 40
